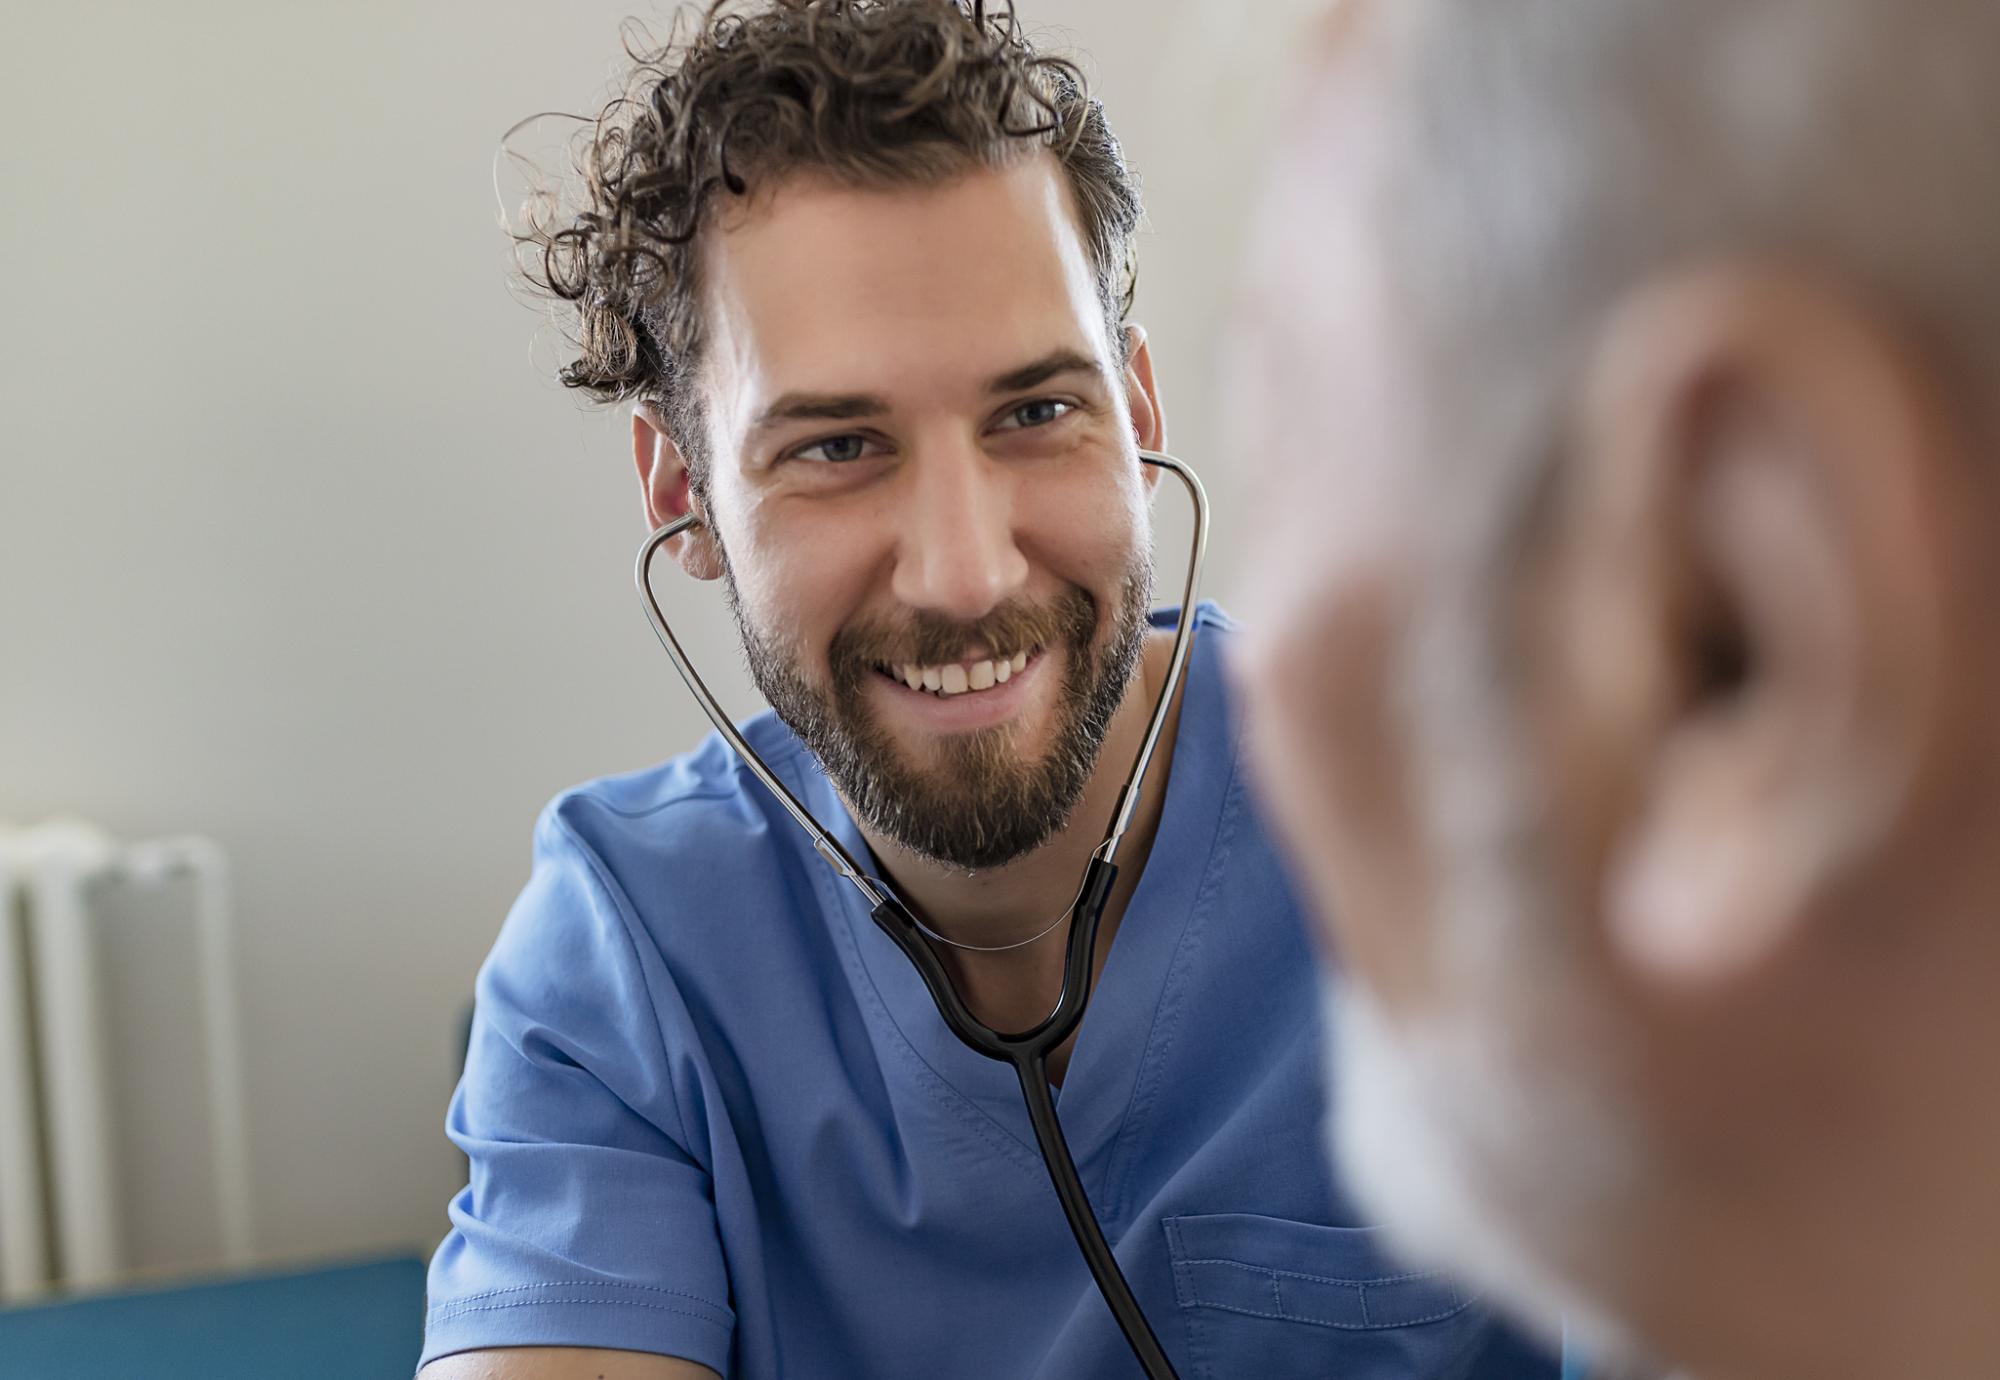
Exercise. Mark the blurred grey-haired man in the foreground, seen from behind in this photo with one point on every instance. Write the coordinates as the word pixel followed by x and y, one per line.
pixel 1623 377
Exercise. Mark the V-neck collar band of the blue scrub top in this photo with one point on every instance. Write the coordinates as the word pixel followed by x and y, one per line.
pixel 1129 999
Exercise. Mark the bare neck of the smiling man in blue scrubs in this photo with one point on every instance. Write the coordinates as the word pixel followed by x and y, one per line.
pixel 1015 989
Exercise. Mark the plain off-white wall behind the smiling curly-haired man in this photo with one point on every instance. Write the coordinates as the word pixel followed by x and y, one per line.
pixel 303 549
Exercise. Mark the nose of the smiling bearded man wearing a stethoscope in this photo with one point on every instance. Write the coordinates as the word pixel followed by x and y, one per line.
pixel 957 551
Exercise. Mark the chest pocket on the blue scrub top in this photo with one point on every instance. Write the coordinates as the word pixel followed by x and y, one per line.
pixel 1265 1299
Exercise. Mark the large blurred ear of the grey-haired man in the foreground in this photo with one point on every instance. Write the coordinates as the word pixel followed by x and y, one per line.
pixel 1755 607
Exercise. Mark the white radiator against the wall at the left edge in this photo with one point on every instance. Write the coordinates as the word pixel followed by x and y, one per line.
pixel 123 1133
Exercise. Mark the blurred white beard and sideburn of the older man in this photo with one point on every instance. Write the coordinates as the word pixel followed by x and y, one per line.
pixel 1485 1131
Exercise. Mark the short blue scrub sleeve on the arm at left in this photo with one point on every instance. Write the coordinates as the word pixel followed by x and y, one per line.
pixel 585 1223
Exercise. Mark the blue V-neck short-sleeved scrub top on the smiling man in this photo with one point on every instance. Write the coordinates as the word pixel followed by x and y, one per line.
pixel 713 1113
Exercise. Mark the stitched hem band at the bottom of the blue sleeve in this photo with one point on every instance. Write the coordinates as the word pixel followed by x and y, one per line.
pixel 665 1325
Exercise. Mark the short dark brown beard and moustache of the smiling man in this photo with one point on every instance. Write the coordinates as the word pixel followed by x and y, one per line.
pixel 981 801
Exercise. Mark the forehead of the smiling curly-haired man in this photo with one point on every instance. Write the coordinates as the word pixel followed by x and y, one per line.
pixel 887 291
